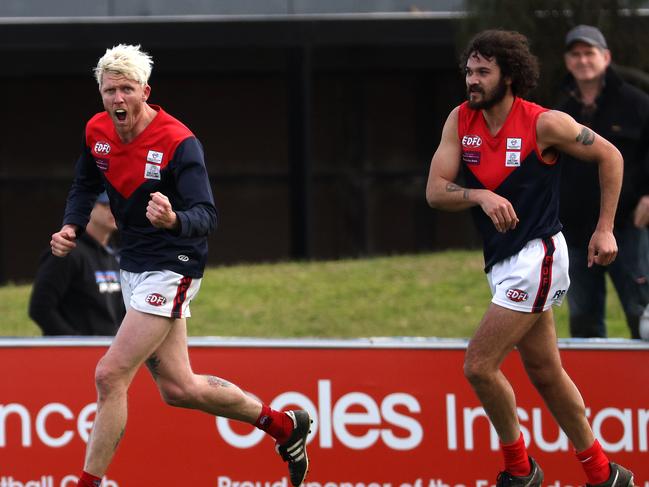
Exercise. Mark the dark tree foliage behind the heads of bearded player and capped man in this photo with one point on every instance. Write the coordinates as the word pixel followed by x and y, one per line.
pixel 546 22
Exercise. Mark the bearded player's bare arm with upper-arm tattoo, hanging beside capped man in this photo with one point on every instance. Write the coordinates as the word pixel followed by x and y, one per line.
pixel 559 131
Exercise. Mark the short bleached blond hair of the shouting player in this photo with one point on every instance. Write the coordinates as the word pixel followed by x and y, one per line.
pixel 126 60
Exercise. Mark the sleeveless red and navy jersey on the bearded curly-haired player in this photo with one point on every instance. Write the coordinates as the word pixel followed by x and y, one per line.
pixel 510 164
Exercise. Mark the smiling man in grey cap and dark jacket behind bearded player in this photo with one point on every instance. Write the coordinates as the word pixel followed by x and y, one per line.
pixel 598 98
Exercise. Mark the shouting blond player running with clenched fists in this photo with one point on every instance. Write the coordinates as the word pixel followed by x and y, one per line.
pixel 153 170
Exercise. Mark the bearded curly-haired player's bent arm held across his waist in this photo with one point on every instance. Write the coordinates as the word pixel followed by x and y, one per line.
pixel 443 193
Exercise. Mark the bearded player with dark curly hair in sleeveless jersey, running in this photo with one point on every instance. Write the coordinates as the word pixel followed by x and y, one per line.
pixel 508 151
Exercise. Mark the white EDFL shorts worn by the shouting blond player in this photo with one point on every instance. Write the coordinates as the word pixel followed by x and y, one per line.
pixel 163 293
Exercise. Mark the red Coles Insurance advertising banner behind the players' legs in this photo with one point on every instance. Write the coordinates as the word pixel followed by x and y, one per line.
pixel 384 416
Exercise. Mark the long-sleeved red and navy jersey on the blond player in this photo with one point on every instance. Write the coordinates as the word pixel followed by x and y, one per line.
pixel 165 157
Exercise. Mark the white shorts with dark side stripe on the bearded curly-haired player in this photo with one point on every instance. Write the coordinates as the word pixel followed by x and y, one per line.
pixel 534 279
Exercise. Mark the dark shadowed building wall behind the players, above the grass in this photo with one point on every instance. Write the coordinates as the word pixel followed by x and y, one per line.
pixel 376 116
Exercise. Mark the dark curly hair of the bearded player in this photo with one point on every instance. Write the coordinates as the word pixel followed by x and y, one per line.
pixel 512 53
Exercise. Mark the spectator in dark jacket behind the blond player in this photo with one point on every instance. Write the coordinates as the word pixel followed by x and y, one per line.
pixel 81 294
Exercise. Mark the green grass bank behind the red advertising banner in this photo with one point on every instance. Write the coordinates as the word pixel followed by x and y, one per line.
pixel 433 295
